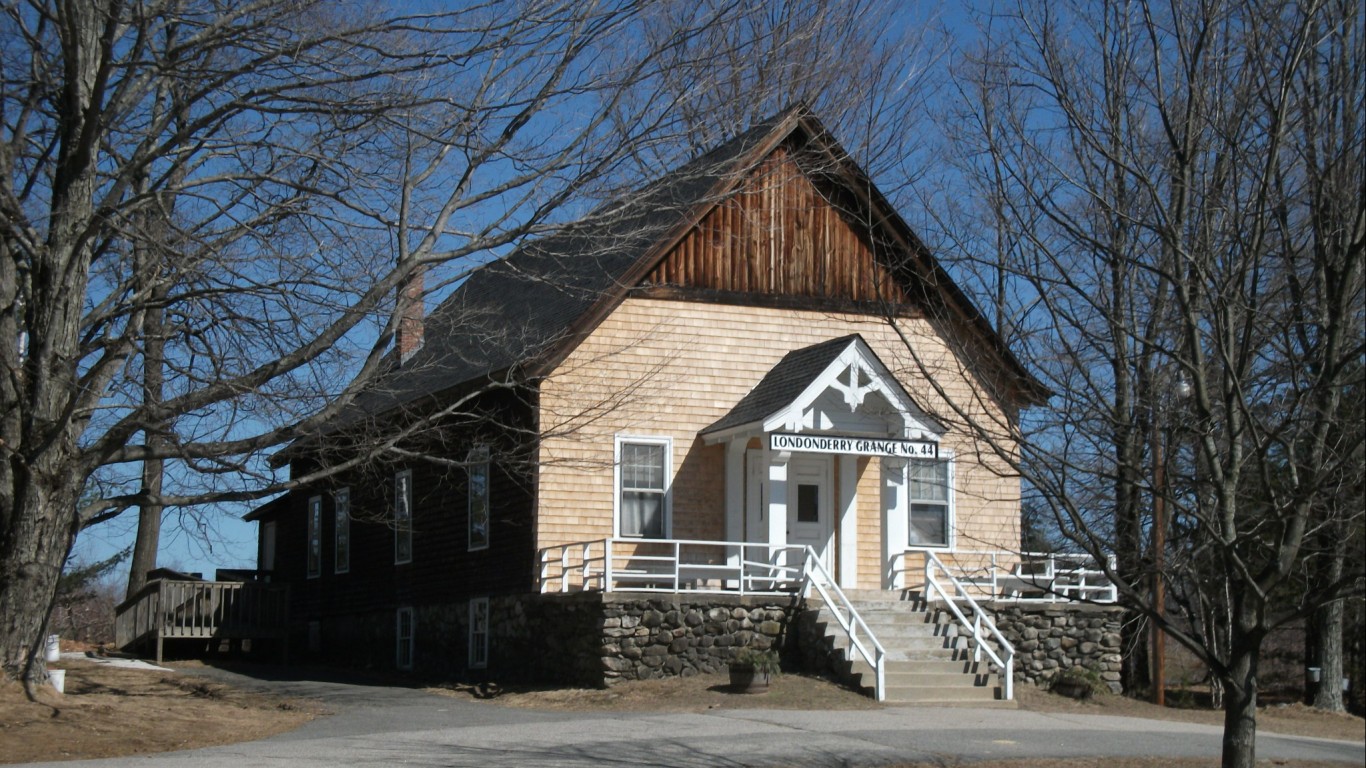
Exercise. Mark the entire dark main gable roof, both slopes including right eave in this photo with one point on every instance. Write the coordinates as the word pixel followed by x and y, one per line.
pixel 529 307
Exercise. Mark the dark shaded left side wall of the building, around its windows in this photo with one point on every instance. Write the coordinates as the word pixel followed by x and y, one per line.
pixel 443 568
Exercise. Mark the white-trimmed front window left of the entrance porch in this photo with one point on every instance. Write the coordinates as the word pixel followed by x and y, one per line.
pixel 643 480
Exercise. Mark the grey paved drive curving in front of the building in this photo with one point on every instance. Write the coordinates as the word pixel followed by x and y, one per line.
pixel 391 726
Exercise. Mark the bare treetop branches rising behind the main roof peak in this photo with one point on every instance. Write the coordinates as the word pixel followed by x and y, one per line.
pixel 865 66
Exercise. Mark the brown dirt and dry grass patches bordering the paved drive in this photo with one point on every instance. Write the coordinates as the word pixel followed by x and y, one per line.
pixel 109 713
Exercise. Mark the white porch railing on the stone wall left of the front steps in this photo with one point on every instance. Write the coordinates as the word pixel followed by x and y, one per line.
pixel 673 565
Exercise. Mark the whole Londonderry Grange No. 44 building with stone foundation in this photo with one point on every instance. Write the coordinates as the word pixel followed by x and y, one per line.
pixel 666 434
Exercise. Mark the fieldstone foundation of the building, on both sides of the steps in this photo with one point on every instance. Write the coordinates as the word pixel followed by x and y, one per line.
pixel 596 640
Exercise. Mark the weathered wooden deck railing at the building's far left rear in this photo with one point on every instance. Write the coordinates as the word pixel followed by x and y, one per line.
pixel 171 610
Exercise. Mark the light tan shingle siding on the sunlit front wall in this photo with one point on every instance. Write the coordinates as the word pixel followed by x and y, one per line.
pixel 671 368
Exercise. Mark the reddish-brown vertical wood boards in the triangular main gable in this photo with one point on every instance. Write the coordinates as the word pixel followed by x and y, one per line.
pixel 779 236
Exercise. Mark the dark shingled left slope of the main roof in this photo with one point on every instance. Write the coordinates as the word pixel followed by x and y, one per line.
pixel 521 308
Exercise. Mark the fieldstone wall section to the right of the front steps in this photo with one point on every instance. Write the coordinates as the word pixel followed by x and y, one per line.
pixel 1051 639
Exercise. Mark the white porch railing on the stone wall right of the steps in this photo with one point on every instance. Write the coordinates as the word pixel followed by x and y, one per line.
pixel 1032 577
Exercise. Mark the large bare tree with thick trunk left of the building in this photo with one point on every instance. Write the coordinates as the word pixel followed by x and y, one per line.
pixel 212 211
